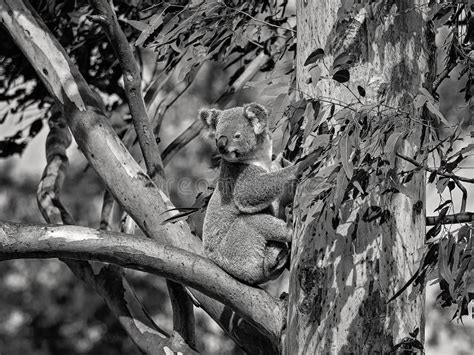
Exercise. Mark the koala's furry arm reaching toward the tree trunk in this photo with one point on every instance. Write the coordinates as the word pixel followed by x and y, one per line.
pixel 255 189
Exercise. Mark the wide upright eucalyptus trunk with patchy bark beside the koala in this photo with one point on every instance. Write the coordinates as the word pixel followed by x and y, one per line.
pixel 349 260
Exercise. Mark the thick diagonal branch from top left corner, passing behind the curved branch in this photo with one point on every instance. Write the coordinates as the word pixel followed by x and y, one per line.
pixel 133 189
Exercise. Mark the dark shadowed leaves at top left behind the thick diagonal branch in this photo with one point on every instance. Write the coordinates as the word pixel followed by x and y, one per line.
pixel 24 96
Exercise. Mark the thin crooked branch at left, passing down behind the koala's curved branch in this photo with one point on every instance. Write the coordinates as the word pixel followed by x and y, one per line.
pixel 109 282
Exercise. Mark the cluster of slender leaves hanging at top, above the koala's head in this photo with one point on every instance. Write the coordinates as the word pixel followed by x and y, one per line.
pixel 187 33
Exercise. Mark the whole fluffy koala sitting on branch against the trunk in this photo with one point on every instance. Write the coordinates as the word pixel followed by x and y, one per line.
pixel 241 233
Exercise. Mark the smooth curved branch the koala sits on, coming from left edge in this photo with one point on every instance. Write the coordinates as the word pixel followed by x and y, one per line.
pixel 139 253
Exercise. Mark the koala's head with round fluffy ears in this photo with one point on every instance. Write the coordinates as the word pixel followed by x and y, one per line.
pixel 238 131
